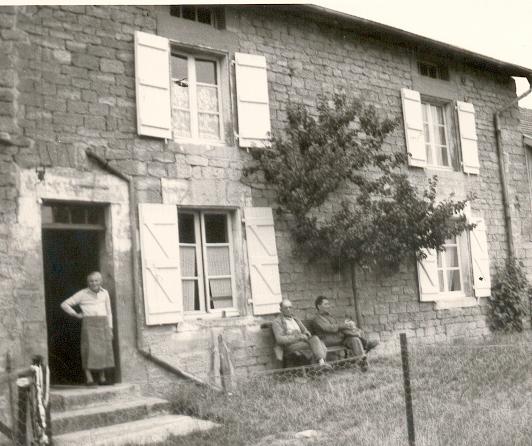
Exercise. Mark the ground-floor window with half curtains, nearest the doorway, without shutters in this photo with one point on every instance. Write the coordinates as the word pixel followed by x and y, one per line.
pixel 207 270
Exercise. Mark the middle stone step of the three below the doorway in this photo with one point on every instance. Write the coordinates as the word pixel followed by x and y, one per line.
pixel 108 413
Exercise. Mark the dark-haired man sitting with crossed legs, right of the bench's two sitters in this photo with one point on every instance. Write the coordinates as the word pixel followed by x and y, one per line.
pixel 332 333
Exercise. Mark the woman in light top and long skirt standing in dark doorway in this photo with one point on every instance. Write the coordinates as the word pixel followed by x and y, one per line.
pixel 96 327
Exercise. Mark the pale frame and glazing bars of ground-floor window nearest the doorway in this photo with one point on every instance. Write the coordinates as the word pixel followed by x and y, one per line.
pixel 201 246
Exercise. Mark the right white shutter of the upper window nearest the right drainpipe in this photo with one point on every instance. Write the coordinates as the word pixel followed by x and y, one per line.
pixel 468 137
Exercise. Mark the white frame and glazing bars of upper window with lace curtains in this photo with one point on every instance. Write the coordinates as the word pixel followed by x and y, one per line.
pixel 192 83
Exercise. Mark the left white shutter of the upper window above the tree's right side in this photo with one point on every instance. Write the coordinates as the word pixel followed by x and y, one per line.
pixel 413 122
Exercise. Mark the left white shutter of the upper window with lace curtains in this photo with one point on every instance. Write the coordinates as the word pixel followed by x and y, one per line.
pixel 152 80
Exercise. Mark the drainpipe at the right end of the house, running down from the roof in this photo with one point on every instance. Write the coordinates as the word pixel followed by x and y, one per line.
pixel 502 169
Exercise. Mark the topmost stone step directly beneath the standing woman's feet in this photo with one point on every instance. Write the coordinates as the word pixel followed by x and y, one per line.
pixel 73 397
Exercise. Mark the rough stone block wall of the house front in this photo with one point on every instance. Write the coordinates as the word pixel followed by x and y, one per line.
pixel 67 85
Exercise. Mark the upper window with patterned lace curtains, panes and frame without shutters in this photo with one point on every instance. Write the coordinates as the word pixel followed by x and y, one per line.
pixel 196 97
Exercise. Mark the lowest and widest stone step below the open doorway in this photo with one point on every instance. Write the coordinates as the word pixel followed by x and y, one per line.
pixel 149 431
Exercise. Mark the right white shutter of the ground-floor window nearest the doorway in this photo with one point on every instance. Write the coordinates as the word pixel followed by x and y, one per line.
pixel 263 261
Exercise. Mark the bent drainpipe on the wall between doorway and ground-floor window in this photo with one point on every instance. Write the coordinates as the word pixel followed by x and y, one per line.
pixel 102 162
